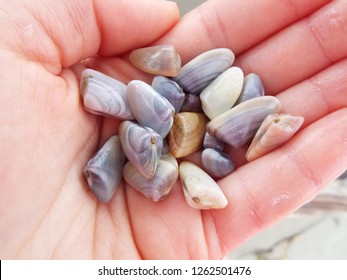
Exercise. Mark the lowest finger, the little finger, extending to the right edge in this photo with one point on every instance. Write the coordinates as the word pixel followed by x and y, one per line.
pixel 264 191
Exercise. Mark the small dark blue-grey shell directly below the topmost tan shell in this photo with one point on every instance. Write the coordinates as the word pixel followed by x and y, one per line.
pixel 170 90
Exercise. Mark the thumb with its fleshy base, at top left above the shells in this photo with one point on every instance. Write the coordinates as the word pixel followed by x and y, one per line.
pixel 61 35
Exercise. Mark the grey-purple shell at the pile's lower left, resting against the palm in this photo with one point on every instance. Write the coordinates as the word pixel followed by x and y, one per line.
pixel 103 171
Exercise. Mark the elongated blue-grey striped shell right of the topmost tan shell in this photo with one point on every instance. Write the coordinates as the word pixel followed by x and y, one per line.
pixel 203 69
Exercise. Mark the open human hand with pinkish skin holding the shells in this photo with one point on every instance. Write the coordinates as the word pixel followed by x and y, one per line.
pixel 47 137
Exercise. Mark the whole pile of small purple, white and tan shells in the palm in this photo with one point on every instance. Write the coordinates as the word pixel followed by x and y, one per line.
pixel 201 106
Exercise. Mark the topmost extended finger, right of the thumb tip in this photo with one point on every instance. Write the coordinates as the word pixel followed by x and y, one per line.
pixel 235 24
